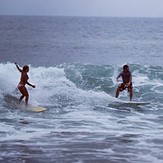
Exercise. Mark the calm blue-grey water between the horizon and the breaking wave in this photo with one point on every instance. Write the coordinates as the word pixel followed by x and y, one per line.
pixel 52 41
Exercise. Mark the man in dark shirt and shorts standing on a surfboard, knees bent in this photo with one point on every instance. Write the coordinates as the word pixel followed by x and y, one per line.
pixel 127 81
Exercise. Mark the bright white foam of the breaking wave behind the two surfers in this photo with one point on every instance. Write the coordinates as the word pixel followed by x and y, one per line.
pixel 52 82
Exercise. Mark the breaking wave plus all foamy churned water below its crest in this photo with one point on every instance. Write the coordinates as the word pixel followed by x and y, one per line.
pixel 79 125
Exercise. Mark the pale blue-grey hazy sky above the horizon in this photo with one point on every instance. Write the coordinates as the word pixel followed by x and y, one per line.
pixel 106 8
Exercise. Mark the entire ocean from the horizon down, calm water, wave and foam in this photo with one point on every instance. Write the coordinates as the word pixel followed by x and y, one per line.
pixel 73 63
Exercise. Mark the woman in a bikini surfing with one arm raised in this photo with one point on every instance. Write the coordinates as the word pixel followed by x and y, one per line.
pixel 23 81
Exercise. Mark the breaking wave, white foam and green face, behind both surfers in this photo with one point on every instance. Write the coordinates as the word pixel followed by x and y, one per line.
pixel 83 83
